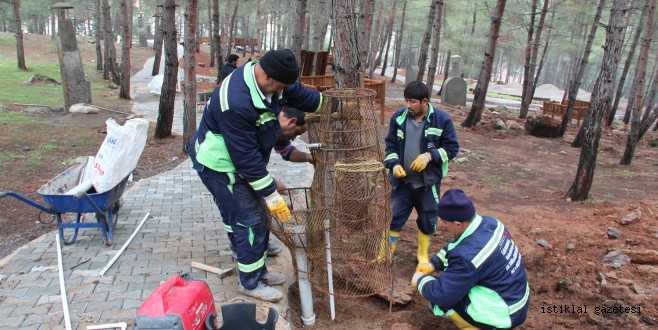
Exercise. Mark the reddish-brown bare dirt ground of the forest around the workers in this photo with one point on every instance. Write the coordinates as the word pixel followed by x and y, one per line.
pixel 515 177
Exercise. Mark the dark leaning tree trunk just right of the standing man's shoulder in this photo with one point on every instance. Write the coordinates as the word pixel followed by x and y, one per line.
pixel 480 91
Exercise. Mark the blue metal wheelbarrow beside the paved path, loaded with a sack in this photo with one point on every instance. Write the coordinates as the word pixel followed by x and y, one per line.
pixel 104 205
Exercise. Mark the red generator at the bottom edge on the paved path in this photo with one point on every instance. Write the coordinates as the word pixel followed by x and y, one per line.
pixel 176 304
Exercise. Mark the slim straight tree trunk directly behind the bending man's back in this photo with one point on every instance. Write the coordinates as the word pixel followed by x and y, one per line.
pixel 189 86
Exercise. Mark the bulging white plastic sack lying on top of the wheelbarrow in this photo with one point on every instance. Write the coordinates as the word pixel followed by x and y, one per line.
pixel 119 153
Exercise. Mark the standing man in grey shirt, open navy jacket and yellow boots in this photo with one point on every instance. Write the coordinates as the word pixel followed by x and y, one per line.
pixel 420 142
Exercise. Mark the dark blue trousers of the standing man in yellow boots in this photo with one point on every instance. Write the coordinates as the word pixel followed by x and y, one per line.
pixel 404 198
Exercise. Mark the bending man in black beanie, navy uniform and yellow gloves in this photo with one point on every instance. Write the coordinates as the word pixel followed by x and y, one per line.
pixel 230 151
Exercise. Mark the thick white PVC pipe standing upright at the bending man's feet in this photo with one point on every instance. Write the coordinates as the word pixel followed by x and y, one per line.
pixel 305 292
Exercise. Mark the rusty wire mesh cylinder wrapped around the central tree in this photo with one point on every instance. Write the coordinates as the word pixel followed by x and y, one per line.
pixel 351 189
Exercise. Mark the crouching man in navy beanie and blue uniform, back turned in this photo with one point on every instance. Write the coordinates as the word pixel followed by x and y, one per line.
pixel 483 284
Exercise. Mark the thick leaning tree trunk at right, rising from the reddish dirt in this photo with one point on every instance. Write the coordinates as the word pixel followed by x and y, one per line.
pixel 601 98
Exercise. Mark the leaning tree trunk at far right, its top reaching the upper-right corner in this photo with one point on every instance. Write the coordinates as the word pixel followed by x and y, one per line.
pixel 641 69
